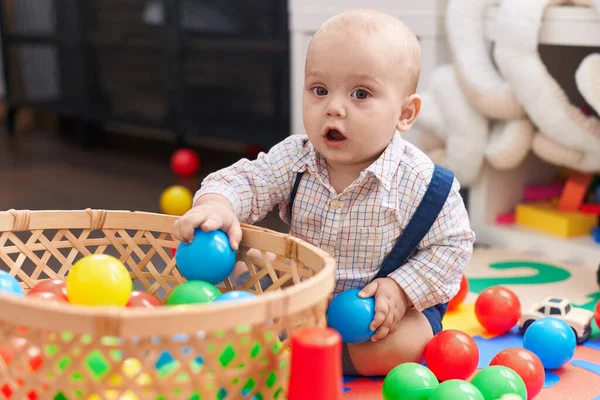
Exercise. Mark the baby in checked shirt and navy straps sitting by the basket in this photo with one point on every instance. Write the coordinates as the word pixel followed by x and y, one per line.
pixel 394 222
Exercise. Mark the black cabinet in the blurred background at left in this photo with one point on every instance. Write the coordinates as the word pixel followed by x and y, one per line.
pixel 177 65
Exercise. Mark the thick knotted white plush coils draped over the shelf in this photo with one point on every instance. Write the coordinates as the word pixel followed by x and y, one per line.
pixel 499 105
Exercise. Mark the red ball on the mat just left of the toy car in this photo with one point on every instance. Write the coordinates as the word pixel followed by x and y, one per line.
pixel 497 309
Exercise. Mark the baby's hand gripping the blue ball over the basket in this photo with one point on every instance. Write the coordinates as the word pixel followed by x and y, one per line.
pixel 210 213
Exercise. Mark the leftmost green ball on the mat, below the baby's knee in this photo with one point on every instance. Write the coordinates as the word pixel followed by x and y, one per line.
pixel 409 381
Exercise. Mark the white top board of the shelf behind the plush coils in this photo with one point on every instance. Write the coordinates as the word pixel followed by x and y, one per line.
pixel 561 26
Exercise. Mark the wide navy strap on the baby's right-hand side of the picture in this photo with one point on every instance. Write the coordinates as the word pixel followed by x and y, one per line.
pixel 421 222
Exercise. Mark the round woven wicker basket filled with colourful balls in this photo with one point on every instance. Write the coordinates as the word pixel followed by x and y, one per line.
pixel 214 351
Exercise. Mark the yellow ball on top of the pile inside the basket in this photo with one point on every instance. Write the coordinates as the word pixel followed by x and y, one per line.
pixel 99 280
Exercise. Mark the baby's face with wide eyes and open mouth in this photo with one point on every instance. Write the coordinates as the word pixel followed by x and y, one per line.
pixel 353 97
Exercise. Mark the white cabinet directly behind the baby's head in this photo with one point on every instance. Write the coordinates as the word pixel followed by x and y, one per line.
pixel 425 18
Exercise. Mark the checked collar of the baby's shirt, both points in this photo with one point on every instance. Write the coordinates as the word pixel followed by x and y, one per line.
pixel 383 168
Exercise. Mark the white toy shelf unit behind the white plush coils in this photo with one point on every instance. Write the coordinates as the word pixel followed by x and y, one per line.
pixel 567 35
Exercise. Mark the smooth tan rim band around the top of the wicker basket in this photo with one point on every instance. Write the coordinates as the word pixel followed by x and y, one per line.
pixel 138 322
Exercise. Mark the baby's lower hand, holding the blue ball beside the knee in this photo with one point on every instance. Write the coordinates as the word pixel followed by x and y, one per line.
pixel 390 306
